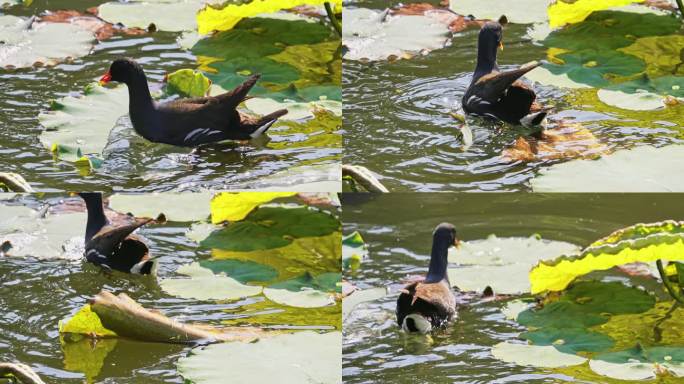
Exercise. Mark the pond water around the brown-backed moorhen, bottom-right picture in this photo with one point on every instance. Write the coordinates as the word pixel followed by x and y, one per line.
pixel 375 350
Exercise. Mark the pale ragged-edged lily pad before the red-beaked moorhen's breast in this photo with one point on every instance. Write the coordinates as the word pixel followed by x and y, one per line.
pixel 80 126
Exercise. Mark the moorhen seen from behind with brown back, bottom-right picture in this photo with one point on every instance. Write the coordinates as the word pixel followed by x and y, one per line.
pixel 430 303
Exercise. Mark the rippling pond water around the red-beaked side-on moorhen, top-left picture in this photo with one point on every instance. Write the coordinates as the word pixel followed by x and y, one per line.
pixel 132 163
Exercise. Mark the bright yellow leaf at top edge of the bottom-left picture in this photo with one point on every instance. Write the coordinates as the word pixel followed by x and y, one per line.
pixel 235 206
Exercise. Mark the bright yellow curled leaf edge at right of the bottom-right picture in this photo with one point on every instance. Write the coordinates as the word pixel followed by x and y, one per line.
pixel 637 243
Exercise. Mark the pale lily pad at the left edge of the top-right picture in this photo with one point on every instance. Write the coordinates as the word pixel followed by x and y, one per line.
pixel 373 35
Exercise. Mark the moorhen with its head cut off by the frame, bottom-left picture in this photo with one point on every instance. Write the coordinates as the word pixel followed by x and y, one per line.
pixel 112 246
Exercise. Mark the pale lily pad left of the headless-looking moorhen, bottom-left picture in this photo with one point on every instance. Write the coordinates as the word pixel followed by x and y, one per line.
pixel 52 237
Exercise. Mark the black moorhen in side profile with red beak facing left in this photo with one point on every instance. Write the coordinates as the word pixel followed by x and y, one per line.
pixel 187 122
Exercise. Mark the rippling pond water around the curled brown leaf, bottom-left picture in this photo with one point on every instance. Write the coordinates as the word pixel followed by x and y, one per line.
pixel 36 294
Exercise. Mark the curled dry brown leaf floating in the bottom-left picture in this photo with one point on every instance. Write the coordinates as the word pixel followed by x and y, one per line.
pixel 129 319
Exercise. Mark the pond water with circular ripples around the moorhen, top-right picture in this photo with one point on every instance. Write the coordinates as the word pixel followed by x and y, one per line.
pixel 397 122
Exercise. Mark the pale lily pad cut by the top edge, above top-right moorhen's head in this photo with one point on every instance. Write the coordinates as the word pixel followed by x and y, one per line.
pixel 524 11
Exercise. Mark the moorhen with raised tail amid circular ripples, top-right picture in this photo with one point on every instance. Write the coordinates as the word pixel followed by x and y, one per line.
pixel 500 95
